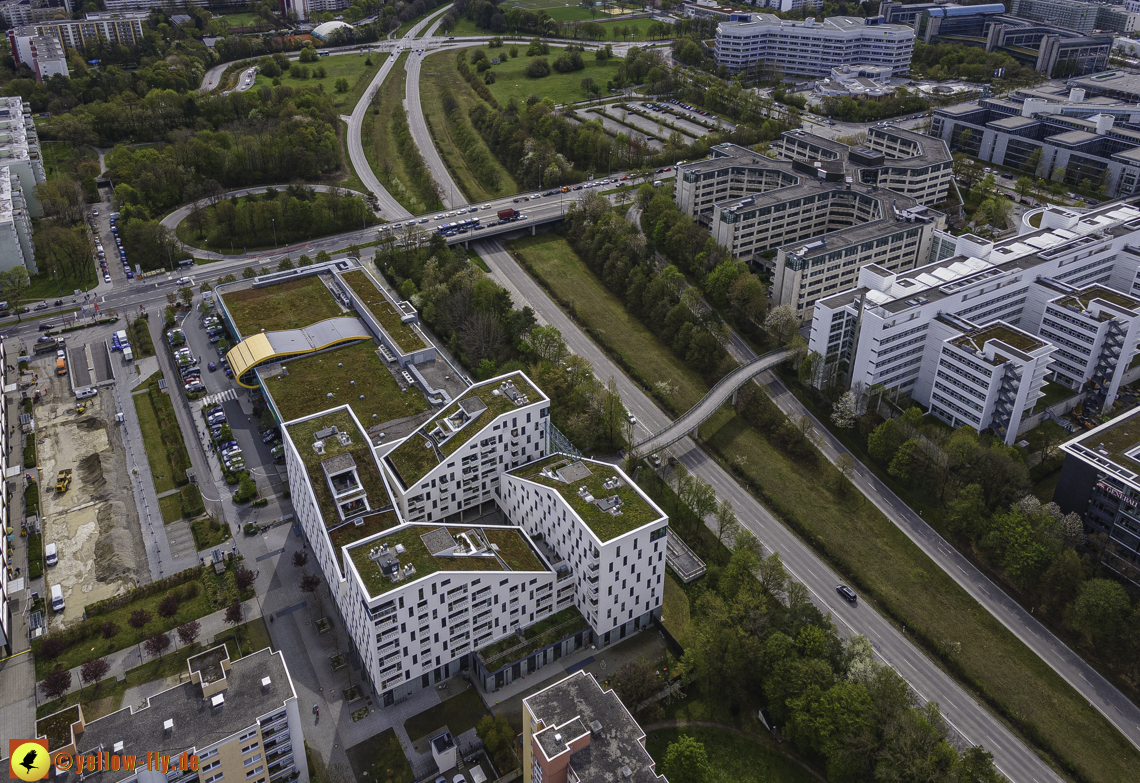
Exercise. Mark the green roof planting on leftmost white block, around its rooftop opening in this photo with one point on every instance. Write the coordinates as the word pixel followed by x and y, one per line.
pixel 361 448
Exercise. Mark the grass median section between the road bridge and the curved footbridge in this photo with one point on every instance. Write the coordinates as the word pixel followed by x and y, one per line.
pixel 553 263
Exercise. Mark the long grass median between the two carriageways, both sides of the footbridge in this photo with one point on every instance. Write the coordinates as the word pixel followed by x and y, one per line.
pixel 864 545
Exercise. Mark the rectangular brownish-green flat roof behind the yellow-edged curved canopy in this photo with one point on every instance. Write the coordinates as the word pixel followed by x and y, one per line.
pixel 286 306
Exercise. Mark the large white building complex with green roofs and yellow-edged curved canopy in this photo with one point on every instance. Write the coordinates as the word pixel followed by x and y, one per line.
pixel 458 531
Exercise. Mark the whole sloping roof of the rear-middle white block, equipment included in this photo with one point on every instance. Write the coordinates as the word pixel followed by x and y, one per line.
pixel 458 425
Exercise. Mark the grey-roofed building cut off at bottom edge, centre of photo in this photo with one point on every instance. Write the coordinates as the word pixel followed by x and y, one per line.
pixel 575 731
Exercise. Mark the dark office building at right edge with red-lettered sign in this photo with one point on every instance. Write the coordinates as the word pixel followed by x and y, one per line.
pixel 1101 482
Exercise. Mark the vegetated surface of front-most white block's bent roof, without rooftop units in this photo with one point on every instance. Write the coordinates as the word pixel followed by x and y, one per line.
pixel 515 553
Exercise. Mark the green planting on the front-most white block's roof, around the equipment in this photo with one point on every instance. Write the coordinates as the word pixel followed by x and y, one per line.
pixel 426 564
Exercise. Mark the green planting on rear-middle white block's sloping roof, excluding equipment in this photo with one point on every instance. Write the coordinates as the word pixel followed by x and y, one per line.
pixel 412 459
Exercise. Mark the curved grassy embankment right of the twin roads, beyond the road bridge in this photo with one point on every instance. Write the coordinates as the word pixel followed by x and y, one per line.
pixel 475 169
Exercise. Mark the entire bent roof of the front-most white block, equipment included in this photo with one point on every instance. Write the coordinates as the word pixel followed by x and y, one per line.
pixel 412 559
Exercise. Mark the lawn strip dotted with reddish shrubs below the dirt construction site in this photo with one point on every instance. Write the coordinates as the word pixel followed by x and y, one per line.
pixel 205 594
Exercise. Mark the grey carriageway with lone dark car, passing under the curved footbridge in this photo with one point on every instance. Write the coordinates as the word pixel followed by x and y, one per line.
pixel 970 719
